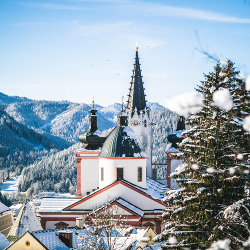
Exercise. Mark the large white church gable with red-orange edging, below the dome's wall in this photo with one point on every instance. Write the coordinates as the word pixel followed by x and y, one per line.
pixel 118 189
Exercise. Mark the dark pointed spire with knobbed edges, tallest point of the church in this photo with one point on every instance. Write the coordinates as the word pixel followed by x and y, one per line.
pixel 136 97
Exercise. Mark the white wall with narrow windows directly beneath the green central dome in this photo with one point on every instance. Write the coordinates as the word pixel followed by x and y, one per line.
pixel 130 170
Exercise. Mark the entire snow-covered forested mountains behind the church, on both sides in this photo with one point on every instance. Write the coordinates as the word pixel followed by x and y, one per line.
pixel 40 138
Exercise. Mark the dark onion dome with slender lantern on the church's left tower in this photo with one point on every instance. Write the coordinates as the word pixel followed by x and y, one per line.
pixel 90 139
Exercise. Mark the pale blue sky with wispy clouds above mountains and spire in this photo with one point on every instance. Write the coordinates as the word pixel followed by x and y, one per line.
pixel 75 49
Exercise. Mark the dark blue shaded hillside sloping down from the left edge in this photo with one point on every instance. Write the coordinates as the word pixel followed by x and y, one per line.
pixel 20 145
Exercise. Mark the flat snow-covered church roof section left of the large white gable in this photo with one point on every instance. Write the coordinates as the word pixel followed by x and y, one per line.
pixel 56 204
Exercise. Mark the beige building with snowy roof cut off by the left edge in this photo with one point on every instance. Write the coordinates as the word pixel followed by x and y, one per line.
pixel 6 219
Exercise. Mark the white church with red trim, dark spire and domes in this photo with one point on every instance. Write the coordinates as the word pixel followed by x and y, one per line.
pixel 116 169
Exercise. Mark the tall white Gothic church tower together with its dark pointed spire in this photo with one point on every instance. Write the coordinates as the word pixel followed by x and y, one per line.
pixel 139 116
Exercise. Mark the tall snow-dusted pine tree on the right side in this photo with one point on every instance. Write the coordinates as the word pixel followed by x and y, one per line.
pixel 215 171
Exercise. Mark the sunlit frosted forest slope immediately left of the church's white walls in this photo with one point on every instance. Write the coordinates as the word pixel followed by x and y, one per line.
pixel 55 173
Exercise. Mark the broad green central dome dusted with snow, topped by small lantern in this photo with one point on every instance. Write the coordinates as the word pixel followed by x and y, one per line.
pixel 122 141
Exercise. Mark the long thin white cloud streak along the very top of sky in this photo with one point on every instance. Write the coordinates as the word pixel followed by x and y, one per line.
pixel 144 8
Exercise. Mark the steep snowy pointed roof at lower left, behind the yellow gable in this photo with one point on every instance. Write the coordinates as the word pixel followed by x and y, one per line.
pixel 25 221
